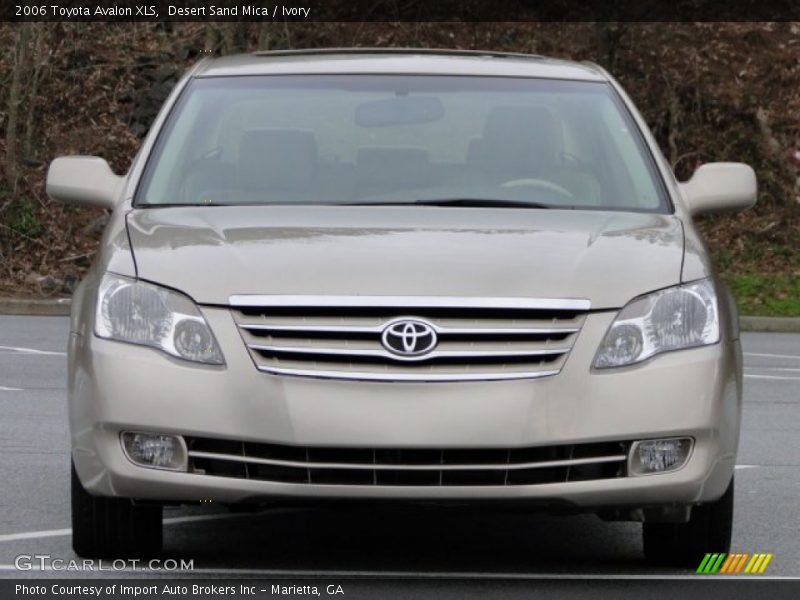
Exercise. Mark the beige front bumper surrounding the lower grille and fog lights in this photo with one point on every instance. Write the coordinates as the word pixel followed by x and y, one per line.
pixel 116 387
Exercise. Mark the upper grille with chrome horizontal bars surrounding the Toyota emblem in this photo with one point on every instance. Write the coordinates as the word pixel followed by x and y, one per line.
pixel 479 339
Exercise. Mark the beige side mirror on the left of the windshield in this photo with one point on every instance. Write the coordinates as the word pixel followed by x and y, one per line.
pixel 84 180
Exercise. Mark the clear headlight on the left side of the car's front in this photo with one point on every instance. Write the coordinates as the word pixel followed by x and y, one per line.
pixel 143 313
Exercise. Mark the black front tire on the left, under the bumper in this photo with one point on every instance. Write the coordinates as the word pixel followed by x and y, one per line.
pixel 113 527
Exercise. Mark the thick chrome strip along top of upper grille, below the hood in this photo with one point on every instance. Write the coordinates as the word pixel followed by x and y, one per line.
pixel 258 301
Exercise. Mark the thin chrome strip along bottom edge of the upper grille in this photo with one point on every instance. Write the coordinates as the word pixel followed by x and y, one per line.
pixel 418 377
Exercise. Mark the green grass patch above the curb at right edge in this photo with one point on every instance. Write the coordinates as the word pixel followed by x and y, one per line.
pixel 766 294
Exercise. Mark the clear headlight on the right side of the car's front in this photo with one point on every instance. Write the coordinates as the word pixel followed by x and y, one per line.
pixel 684 316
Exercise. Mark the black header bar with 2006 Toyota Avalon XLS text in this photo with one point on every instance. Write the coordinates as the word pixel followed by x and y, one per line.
pixel 144 11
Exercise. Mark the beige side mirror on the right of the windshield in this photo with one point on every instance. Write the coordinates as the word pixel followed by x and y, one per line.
pixel 721 187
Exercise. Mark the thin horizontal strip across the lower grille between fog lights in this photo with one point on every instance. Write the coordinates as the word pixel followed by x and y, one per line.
pixel 387 467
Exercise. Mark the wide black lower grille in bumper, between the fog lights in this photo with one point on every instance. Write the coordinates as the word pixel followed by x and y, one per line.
pixel 407 467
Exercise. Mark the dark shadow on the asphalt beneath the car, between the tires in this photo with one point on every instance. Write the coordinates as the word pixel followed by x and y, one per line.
pixel 409 540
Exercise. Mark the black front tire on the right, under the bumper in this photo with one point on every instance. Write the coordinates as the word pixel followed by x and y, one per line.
pixel 685 544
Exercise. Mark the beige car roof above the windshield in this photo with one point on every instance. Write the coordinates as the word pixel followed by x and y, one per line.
pixel 397 61
